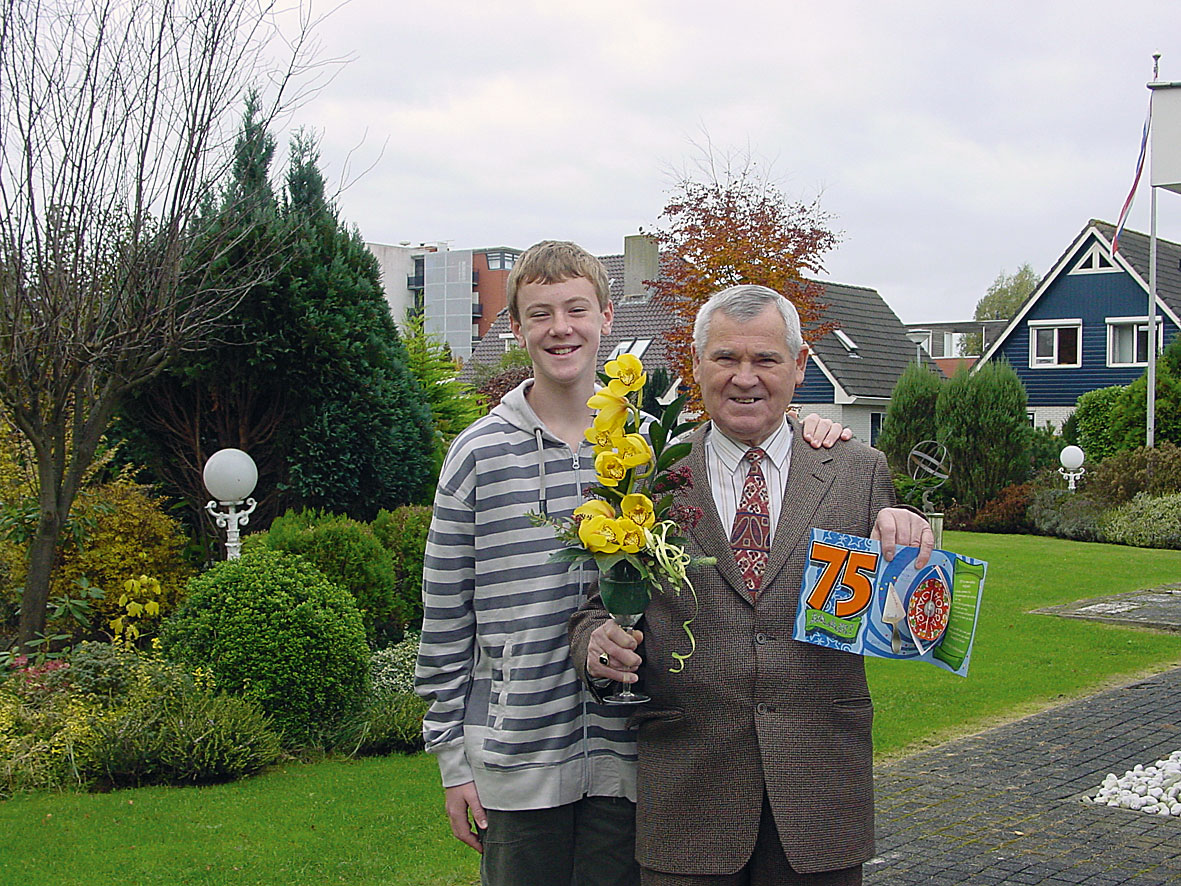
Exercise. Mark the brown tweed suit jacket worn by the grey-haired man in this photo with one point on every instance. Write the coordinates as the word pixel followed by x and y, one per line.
pixel 754 709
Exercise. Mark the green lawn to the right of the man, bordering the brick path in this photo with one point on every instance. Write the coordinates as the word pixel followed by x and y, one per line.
pixel 1025 662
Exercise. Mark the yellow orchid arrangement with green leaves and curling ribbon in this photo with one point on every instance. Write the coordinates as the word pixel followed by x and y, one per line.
pixel 631 527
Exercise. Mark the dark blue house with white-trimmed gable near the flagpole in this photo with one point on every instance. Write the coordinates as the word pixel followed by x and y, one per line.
pixel 1086 325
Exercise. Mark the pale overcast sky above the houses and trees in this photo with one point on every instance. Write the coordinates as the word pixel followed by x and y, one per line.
pixel 950 141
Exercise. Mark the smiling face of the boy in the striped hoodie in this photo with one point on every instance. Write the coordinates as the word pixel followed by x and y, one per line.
pixel 560 327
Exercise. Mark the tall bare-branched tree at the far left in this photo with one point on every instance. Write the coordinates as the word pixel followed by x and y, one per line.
pixel 118 121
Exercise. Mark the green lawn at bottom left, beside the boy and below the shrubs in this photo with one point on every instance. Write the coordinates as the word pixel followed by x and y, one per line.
pixel 370 822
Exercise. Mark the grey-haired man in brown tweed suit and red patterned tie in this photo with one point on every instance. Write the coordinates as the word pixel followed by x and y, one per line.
pixel 755 761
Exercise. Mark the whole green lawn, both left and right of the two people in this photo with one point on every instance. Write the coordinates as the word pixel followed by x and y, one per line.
pixel 381 822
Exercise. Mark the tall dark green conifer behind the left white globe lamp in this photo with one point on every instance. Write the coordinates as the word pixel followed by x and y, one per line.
pixel 309 376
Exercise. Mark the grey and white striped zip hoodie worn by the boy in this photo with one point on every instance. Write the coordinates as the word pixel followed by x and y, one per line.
pixel 507 708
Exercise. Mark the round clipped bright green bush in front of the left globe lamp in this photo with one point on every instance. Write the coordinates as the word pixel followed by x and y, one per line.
pixel 272 628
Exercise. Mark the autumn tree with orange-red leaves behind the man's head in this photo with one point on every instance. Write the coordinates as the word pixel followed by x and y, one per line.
pixel 734 230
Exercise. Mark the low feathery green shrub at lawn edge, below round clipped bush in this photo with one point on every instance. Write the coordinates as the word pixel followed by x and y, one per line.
pixel 190 738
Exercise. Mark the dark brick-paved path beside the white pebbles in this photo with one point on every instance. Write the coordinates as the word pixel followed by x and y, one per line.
pixel 1004 806
